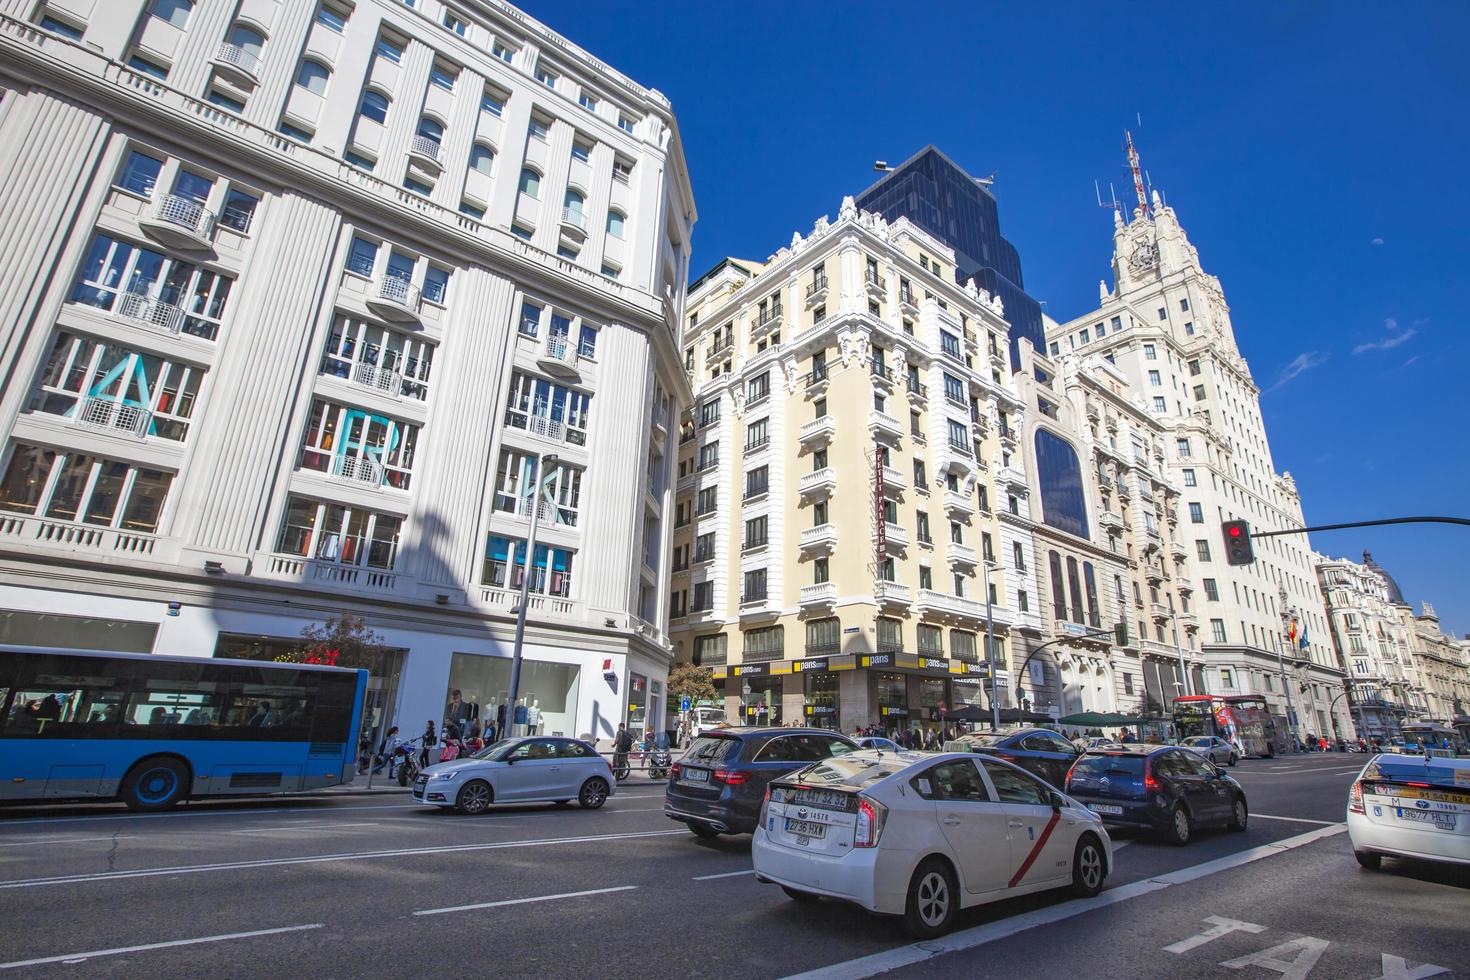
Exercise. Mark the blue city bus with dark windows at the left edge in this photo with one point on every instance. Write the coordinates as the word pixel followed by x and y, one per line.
pixel 154 731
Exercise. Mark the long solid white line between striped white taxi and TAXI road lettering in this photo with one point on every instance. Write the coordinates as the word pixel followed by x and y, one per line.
pixel 981 935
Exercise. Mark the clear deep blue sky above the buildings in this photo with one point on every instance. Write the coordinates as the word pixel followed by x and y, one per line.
pixel 1315 152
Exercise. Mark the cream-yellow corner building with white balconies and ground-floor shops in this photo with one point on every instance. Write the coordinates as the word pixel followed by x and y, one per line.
pixel 845 480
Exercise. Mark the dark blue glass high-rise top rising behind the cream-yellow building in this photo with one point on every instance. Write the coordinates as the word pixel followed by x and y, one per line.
pixel 940 198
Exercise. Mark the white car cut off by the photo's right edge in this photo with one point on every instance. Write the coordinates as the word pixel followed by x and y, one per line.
pixel 1410 807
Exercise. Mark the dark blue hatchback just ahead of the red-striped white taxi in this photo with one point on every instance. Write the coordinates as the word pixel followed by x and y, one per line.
pixel 1162 788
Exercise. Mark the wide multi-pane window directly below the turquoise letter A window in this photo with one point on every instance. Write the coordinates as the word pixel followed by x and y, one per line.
pixel 92 490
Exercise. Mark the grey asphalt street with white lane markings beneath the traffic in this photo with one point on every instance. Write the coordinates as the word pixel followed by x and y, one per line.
pixel 376 887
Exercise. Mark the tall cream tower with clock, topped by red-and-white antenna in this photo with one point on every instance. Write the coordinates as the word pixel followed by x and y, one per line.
pixel 1166 325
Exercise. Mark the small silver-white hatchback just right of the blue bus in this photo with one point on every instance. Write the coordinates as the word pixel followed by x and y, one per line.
pixel 520 772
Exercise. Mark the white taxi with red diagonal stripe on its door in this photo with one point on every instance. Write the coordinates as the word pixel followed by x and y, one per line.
pixel 922 837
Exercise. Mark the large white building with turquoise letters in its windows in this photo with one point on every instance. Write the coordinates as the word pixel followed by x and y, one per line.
pixel 298 299
